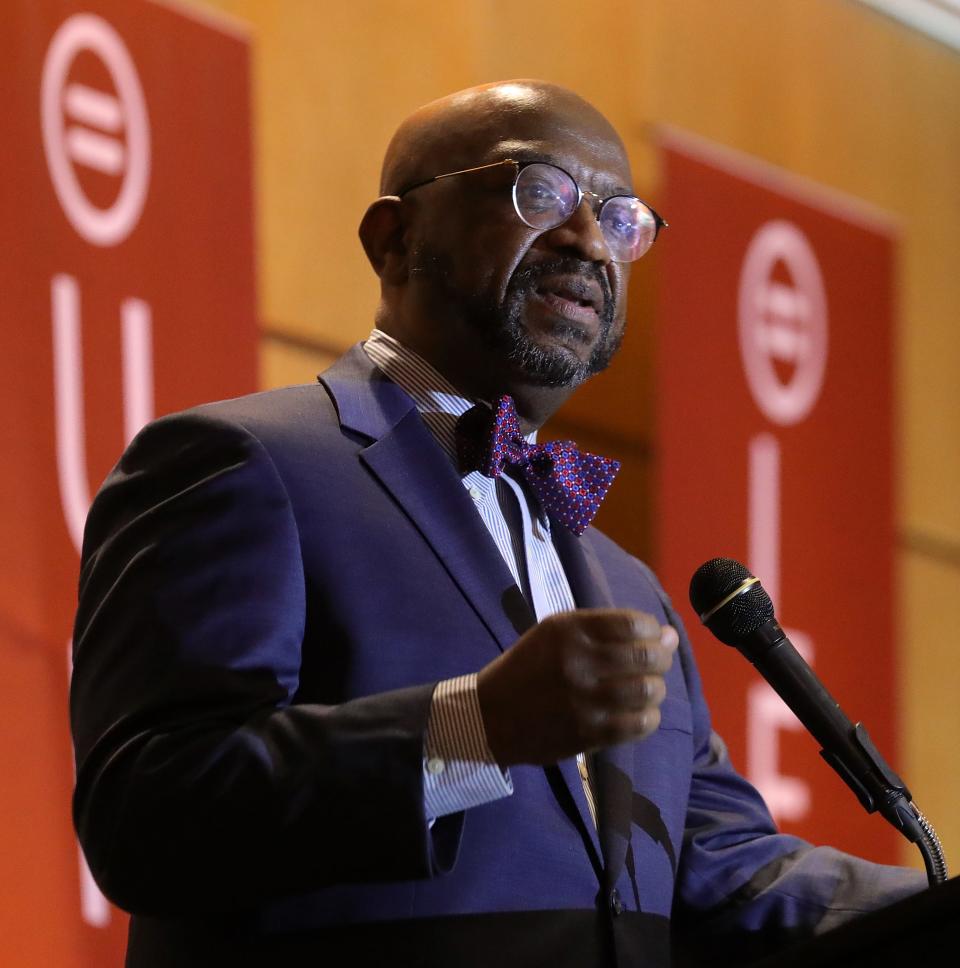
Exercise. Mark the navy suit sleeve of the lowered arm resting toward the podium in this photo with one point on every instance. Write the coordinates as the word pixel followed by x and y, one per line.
pixel 739 878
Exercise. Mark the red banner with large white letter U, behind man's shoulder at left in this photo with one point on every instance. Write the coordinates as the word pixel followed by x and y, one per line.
pixel 128 291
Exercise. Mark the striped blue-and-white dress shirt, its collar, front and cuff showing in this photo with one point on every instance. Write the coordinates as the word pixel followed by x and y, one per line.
pixel 459 769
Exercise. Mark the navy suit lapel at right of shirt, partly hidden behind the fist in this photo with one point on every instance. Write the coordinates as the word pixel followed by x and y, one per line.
pixel 611 768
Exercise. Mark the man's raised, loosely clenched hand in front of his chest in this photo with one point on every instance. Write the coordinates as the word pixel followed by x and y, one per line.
pixel 575 682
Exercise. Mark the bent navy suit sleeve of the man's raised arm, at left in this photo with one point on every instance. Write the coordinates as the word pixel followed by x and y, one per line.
pixel 200 783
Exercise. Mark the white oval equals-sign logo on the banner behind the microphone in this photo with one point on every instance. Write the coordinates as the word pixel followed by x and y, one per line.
pixel 782 308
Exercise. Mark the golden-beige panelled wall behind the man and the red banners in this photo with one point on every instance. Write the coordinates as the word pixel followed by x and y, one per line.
pixel 826 88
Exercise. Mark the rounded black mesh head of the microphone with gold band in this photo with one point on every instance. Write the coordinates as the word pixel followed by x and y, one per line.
pixel 729 600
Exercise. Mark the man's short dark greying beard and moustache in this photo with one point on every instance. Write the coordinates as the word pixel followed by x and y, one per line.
pixel 499 324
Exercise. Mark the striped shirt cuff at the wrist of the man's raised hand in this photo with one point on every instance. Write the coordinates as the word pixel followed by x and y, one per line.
pixel 459 770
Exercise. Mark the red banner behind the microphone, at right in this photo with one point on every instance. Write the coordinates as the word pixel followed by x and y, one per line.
pixel 775 448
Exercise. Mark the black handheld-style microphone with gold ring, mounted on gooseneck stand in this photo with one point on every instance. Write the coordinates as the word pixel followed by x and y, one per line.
pixel 734 606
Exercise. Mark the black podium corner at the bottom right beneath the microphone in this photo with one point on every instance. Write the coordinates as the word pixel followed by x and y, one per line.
pixel 917 931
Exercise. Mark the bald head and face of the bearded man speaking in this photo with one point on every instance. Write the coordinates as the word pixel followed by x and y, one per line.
pixel 495 303
